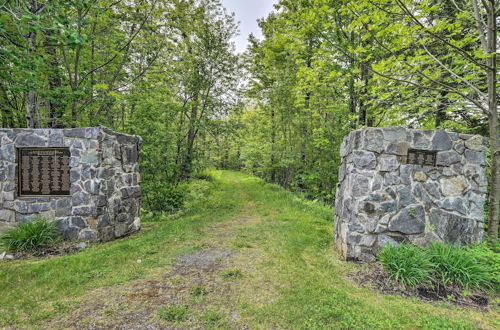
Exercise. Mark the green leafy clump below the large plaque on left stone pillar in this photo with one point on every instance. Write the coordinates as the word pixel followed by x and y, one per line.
pixel 30 236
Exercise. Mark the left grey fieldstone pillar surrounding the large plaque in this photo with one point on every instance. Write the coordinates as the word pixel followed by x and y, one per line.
pixel 104 198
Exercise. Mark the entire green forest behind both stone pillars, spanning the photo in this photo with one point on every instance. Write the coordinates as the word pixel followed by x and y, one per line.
pixel 167 70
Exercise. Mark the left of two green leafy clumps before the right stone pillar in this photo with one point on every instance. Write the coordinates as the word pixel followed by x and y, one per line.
pixel 407 264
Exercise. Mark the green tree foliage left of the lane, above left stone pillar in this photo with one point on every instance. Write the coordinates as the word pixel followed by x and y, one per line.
pixel 163 70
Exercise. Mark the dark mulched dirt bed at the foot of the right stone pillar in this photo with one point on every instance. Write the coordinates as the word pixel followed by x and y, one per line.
pixel 374 276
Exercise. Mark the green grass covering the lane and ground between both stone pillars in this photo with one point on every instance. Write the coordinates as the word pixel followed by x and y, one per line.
pixel 292 276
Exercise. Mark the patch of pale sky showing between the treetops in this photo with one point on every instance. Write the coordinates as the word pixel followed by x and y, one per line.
pixel 247 12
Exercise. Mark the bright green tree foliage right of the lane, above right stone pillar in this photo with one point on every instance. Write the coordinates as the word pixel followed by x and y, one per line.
pixel 327 67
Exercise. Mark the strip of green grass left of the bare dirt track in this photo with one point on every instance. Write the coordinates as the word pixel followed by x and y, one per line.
pixel 30 288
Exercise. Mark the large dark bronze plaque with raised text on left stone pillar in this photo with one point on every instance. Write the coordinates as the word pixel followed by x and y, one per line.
pixel 43 172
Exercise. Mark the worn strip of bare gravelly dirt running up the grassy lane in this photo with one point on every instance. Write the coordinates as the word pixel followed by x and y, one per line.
pixel 135 304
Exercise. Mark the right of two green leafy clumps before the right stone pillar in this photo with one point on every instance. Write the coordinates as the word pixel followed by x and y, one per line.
pixel 457 266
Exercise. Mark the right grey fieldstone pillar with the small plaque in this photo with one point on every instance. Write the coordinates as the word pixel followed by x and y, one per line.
pixel 382 198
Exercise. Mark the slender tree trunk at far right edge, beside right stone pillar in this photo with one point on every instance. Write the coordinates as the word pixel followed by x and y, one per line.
pixel 493 122
